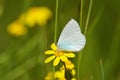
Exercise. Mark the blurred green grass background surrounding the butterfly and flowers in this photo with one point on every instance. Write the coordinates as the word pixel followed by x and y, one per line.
pixel 22 58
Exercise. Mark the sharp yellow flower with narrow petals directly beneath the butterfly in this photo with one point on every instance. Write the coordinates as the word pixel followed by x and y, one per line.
pixel 57 55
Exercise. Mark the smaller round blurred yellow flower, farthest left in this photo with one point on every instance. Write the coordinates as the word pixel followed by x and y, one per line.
pixel 16 29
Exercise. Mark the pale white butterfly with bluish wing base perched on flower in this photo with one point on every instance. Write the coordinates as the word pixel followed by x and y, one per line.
pixel 71 38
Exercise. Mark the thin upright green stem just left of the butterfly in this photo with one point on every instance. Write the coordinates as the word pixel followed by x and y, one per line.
pixel 55 32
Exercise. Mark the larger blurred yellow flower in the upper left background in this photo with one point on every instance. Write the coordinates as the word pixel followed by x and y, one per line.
pixel 36 15
